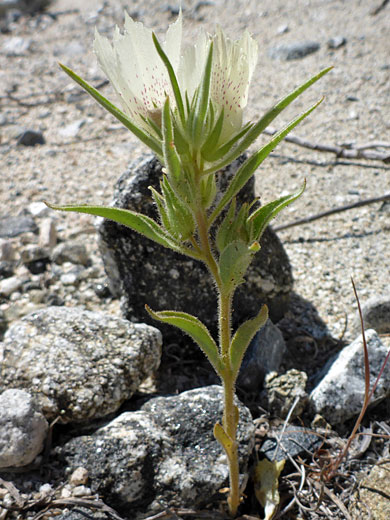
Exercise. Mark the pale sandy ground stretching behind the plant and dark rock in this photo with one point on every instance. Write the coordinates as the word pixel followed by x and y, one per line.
pixel 356 109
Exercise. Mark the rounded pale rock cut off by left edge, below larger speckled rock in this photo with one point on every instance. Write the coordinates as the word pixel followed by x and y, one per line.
pixel 23 429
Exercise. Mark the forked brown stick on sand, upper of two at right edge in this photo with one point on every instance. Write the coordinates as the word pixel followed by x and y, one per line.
pixel 346 151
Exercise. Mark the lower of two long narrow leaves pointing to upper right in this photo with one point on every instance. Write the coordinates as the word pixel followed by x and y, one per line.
pixel 245 172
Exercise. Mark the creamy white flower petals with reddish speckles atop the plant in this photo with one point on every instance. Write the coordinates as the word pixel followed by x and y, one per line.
pixel 141 80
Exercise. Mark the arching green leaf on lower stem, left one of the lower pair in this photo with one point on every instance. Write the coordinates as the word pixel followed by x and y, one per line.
pixel 196 330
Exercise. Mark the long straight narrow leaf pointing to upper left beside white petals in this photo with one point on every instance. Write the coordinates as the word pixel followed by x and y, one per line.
pixel 147 139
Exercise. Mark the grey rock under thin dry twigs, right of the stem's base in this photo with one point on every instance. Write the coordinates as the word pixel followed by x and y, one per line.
pixel 294 441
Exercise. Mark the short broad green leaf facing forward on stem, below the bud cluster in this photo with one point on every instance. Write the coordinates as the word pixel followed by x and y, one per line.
pixel 233 264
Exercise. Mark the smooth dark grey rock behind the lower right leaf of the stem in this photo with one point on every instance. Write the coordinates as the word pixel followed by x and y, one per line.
pixel 263 355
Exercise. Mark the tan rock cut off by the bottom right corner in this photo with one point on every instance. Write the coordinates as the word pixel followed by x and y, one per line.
pixel 372 499
